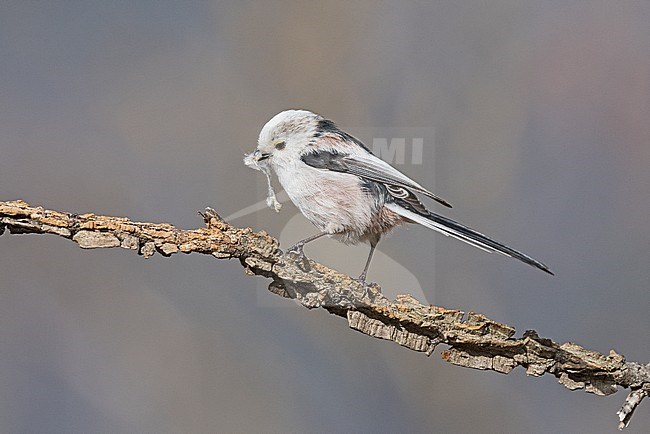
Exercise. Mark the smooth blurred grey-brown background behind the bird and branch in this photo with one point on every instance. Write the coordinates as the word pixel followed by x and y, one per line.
pixel 537 128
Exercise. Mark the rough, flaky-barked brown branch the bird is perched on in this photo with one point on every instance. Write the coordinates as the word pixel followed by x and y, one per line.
pixel 474 341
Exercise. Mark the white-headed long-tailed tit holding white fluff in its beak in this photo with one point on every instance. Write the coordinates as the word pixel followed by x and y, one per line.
pixel 347 192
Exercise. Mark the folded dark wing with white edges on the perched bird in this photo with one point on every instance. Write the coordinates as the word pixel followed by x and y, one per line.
pixel 369 167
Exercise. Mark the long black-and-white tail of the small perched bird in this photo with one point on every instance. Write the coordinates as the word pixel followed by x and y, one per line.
pixel 470 236
